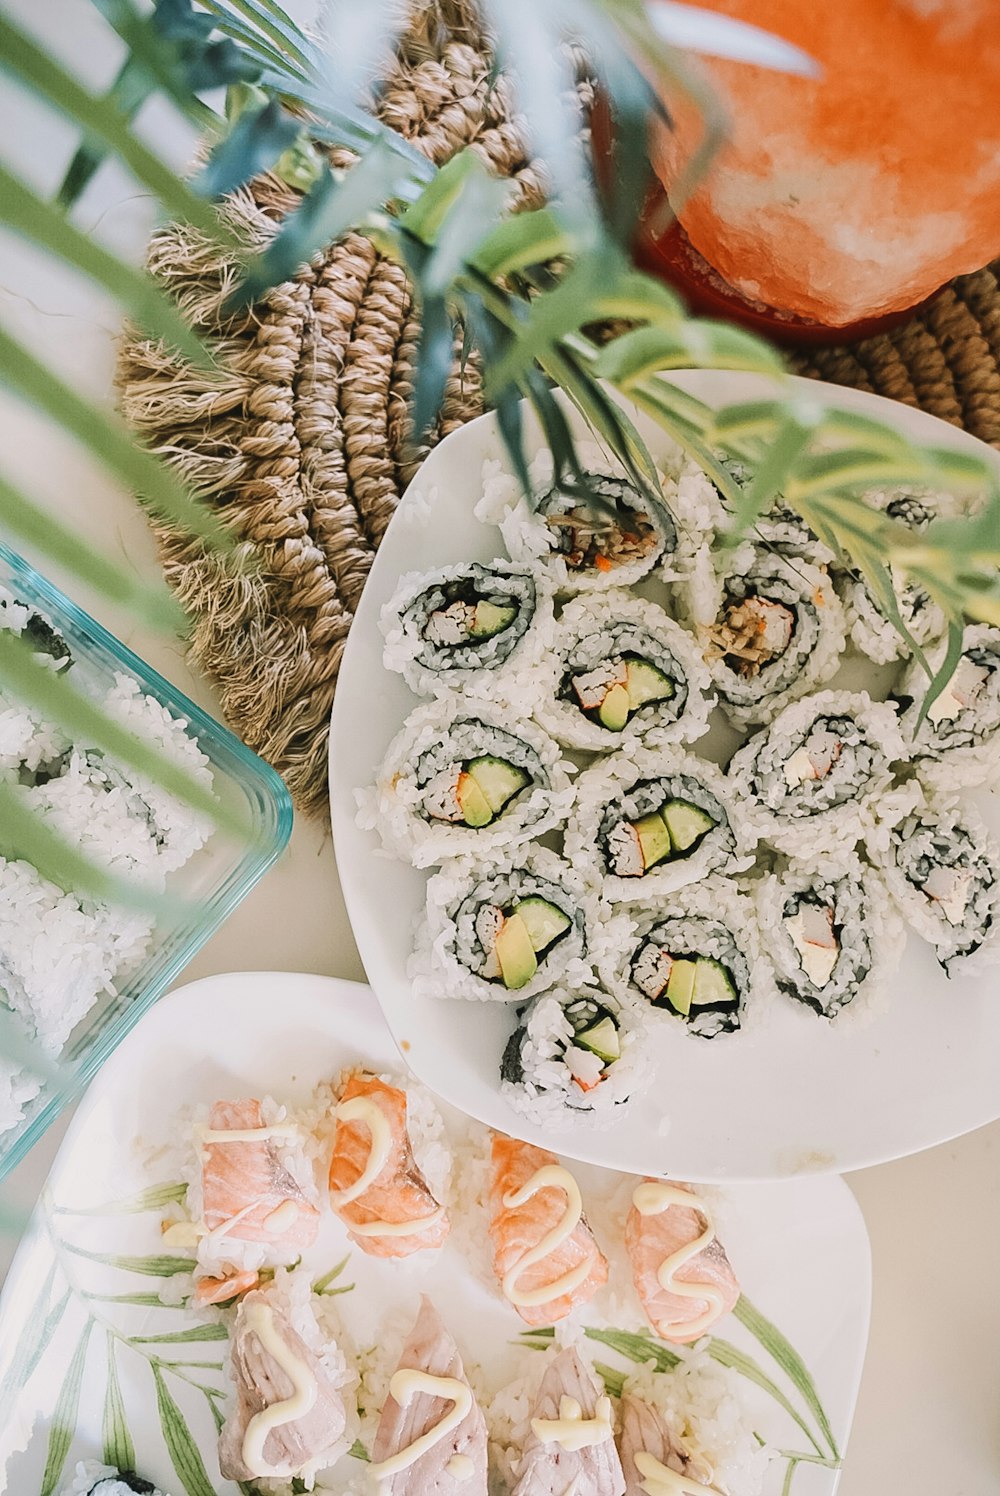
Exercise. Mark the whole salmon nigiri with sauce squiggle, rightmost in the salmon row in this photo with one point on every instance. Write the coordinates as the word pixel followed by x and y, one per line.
pixel 680 1268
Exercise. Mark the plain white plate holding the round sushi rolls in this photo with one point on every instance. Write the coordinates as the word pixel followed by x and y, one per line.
pixel 806 1097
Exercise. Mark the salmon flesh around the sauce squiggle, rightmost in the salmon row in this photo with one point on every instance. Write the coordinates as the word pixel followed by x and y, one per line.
pixel 650 1241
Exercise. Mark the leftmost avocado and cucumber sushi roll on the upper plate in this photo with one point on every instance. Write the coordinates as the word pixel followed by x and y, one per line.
pixel 466 780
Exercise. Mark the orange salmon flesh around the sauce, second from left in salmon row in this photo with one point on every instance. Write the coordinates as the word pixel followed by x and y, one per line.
pixel 399 1193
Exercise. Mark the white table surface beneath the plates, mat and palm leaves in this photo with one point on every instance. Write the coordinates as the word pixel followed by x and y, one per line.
pixel 929 1417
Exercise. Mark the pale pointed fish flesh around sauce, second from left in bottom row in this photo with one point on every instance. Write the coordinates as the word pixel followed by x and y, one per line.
pixel 454 1465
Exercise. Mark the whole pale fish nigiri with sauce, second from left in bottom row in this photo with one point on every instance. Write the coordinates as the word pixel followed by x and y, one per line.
pixel 432 1434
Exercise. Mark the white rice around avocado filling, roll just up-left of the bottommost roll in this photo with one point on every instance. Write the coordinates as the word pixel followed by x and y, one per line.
pixel 450 958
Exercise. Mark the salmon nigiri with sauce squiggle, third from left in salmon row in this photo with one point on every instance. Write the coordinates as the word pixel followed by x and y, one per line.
pixel 544 1254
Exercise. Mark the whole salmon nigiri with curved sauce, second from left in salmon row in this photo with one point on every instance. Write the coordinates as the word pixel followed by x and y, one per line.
pixel 375 1186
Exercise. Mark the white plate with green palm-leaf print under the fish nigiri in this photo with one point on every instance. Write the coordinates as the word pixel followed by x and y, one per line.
pixel 802 1253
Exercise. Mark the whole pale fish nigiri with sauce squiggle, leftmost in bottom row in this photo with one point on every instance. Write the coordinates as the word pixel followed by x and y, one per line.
pixel 290 1417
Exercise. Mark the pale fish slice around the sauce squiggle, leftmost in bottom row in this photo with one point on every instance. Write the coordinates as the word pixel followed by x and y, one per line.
pixel 309 1440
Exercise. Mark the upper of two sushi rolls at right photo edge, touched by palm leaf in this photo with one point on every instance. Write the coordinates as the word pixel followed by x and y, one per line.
pixel 959 741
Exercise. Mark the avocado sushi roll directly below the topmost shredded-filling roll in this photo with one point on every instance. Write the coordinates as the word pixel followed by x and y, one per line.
pixel 622 672
